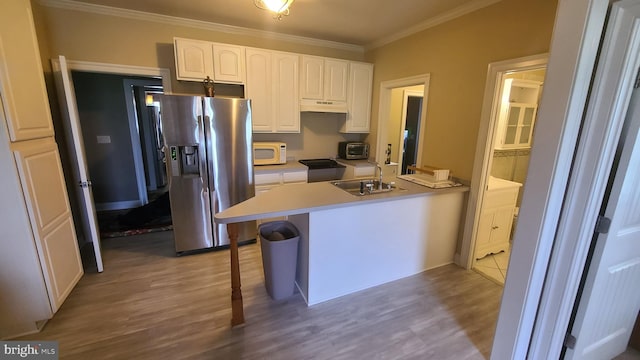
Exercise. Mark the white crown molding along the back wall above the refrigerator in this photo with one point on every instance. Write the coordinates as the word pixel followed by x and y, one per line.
pixel 205 25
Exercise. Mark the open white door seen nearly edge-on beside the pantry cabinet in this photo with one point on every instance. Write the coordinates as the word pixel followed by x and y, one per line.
pixel 73 131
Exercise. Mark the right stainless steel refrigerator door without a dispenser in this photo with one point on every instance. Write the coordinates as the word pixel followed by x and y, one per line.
pixel 230 167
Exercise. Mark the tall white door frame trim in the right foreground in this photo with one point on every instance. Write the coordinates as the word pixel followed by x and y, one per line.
pixel 574 47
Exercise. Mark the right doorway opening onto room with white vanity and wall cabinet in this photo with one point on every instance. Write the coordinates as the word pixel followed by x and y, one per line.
pixel 519 95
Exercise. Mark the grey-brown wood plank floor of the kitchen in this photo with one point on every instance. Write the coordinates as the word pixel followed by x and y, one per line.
pixel 150 304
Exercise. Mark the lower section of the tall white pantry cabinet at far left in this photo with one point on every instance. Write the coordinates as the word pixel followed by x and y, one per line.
pixel 41 264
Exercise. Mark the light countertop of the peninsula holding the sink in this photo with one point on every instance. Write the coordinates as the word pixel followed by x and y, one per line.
pixel 307 197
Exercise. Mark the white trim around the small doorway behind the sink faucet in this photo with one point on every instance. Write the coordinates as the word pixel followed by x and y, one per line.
pixel 385 107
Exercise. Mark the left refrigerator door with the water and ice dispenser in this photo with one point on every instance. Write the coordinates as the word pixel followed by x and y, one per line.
pixel 187 172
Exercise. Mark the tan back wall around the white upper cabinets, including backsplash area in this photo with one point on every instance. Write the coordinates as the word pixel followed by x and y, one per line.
pixel 83 36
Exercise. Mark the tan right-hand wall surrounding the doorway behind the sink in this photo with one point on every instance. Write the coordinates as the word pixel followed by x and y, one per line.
pixel 456 54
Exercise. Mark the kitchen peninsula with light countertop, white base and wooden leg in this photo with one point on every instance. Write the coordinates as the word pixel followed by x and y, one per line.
pixel 350 243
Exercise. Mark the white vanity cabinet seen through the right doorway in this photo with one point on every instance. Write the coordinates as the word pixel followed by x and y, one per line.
pixel 496 220
